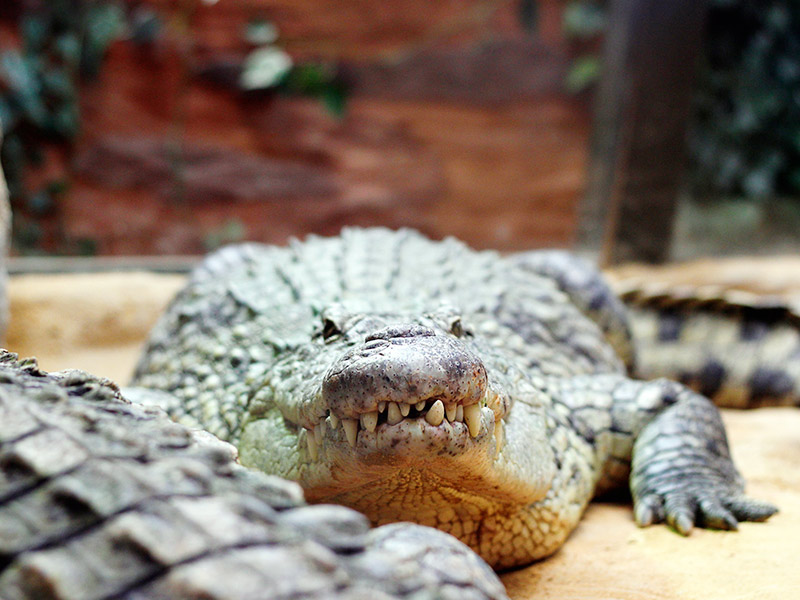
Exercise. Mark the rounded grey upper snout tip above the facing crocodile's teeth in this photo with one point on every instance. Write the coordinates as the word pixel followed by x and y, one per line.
pixel 406 365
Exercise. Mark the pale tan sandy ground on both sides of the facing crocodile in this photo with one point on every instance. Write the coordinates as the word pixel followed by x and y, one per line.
pixel 98 323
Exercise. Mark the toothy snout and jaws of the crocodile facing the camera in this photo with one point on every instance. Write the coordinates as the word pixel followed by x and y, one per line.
pixel 401 396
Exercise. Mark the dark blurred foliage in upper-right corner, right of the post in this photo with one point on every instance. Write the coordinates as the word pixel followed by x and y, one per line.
pixel 746 138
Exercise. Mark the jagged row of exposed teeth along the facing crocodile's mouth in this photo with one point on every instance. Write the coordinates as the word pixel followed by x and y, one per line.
pixel 450 428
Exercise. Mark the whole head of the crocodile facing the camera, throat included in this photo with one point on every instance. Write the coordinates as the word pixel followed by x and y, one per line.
pixel 406 418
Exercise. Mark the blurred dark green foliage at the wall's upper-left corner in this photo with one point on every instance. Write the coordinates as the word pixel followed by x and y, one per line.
pixel 63 41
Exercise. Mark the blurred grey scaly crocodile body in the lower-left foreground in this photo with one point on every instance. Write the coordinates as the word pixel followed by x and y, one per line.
pixel 101 498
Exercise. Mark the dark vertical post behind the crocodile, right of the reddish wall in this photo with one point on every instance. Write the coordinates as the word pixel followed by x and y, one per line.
pixel 639 141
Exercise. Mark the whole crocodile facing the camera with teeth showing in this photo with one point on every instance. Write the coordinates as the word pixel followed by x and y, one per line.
pixel 419 380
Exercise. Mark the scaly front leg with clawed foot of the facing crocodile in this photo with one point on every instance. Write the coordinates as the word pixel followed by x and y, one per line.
pixel 669 442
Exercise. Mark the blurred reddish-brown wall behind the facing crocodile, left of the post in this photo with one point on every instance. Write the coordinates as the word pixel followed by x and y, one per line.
pixel 456 124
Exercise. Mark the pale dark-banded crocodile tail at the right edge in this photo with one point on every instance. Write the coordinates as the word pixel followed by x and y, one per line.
pixel 741 350
